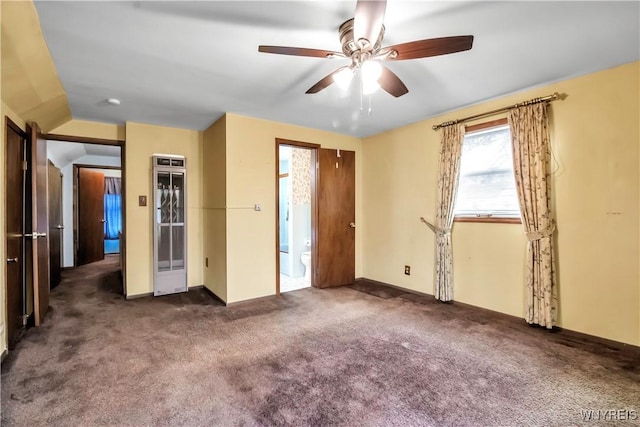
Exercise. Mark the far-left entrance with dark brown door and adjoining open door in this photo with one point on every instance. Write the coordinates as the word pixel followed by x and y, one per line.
pixel 27 262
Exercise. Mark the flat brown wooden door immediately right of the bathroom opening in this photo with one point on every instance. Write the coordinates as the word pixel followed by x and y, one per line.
pixel 336 218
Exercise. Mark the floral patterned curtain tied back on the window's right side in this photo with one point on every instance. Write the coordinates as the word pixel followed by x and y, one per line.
pixel 531 161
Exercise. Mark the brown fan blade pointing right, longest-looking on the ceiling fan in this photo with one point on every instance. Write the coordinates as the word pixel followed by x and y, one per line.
pixel 429 47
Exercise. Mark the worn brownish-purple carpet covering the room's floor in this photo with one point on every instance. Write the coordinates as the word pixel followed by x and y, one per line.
pixel 360 355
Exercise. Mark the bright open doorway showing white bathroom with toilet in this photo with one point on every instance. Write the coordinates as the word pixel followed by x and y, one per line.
pixel 295 230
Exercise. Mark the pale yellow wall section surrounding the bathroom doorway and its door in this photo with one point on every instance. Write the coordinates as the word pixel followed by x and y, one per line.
pixel 251 169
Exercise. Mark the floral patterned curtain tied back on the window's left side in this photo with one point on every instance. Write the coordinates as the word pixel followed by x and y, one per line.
pixel 450 150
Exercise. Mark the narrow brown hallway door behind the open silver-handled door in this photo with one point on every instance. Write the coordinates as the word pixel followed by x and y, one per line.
pixel 55 224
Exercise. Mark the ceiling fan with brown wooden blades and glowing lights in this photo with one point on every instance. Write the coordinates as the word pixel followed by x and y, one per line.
pixel 361 39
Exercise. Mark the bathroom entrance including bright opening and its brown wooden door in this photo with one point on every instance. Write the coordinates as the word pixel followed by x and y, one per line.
pixel 315 216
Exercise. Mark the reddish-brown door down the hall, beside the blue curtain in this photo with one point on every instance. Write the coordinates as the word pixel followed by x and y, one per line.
pixel 90 216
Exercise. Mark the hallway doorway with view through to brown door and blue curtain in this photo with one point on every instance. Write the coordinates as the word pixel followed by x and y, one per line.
pixel 93 199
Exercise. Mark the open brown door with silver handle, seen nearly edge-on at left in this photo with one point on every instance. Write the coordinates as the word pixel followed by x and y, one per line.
pixel 40 218
